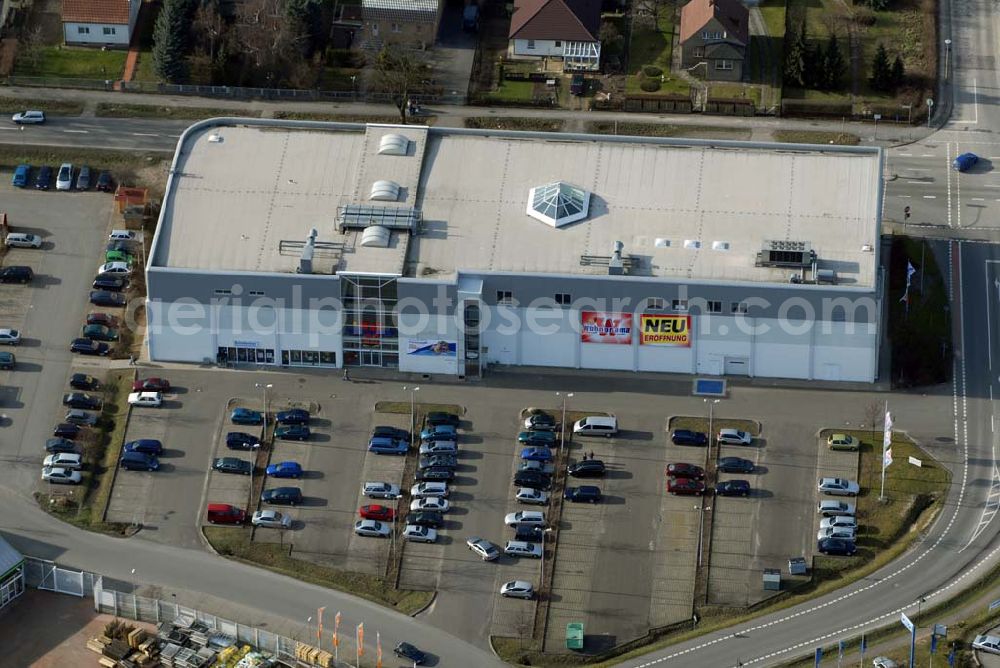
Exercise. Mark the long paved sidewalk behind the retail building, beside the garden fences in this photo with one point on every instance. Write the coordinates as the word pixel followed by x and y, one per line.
pixel 889 134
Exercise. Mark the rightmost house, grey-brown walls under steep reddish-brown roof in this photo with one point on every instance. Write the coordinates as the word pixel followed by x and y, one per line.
pixel 714 38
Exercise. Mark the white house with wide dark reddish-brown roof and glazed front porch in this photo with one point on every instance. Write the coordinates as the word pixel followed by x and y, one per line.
pixel 562 29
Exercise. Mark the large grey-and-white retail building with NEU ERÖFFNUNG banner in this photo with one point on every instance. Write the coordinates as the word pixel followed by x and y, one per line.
pixel 439 250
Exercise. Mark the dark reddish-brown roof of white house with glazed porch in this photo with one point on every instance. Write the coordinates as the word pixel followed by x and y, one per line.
pixel 569 20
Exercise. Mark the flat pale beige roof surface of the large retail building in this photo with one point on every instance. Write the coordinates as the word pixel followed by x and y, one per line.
pixel 684 210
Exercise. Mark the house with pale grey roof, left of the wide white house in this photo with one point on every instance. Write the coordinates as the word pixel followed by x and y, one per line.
pixel 411 23
